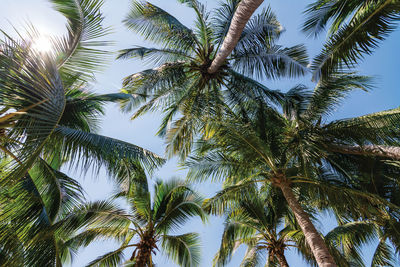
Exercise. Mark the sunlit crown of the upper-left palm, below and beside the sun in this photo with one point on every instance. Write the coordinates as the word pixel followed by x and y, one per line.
pixel 44 100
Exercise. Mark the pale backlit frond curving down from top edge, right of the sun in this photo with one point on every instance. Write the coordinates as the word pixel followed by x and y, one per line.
pixel 78 51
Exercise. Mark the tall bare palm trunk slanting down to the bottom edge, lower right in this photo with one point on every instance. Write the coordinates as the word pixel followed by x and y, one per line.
pixel 313 238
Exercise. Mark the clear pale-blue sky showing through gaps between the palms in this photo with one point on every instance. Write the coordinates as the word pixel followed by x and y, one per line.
pixel 384 64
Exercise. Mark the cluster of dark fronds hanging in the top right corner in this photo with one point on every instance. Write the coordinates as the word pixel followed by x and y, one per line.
pixel 357 27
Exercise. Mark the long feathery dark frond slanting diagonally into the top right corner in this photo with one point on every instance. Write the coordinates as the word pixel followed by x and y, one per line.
pixel 360 36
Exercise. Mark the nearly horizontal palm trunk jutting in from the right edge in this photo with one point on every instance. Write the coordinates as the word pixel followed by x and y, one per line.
pixel 369 150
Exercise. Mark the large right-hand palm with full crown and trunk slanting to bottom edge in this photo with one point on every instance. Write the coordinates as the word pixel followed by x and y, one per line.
pixel 292 149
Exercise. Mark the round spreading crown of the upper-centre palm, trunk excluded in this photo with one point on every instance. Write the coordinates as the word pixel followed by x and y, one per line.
pixel 181 85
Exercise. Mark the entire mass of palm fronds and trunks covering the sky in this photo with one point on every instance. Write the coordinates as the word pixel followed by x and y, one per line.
pixel 280 157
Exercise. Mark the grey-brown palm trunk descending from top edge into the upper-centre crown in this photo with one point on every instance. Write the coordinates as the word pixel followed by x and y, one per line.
pixel 242 14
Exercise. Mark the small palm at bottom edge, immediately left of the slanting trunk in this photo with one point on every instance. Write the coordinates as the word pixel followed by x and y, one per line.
pixel 254 222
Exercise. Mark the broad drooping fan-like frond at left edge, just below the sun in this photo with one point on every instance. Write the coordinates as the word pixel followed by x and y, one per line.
pixel 31 86
